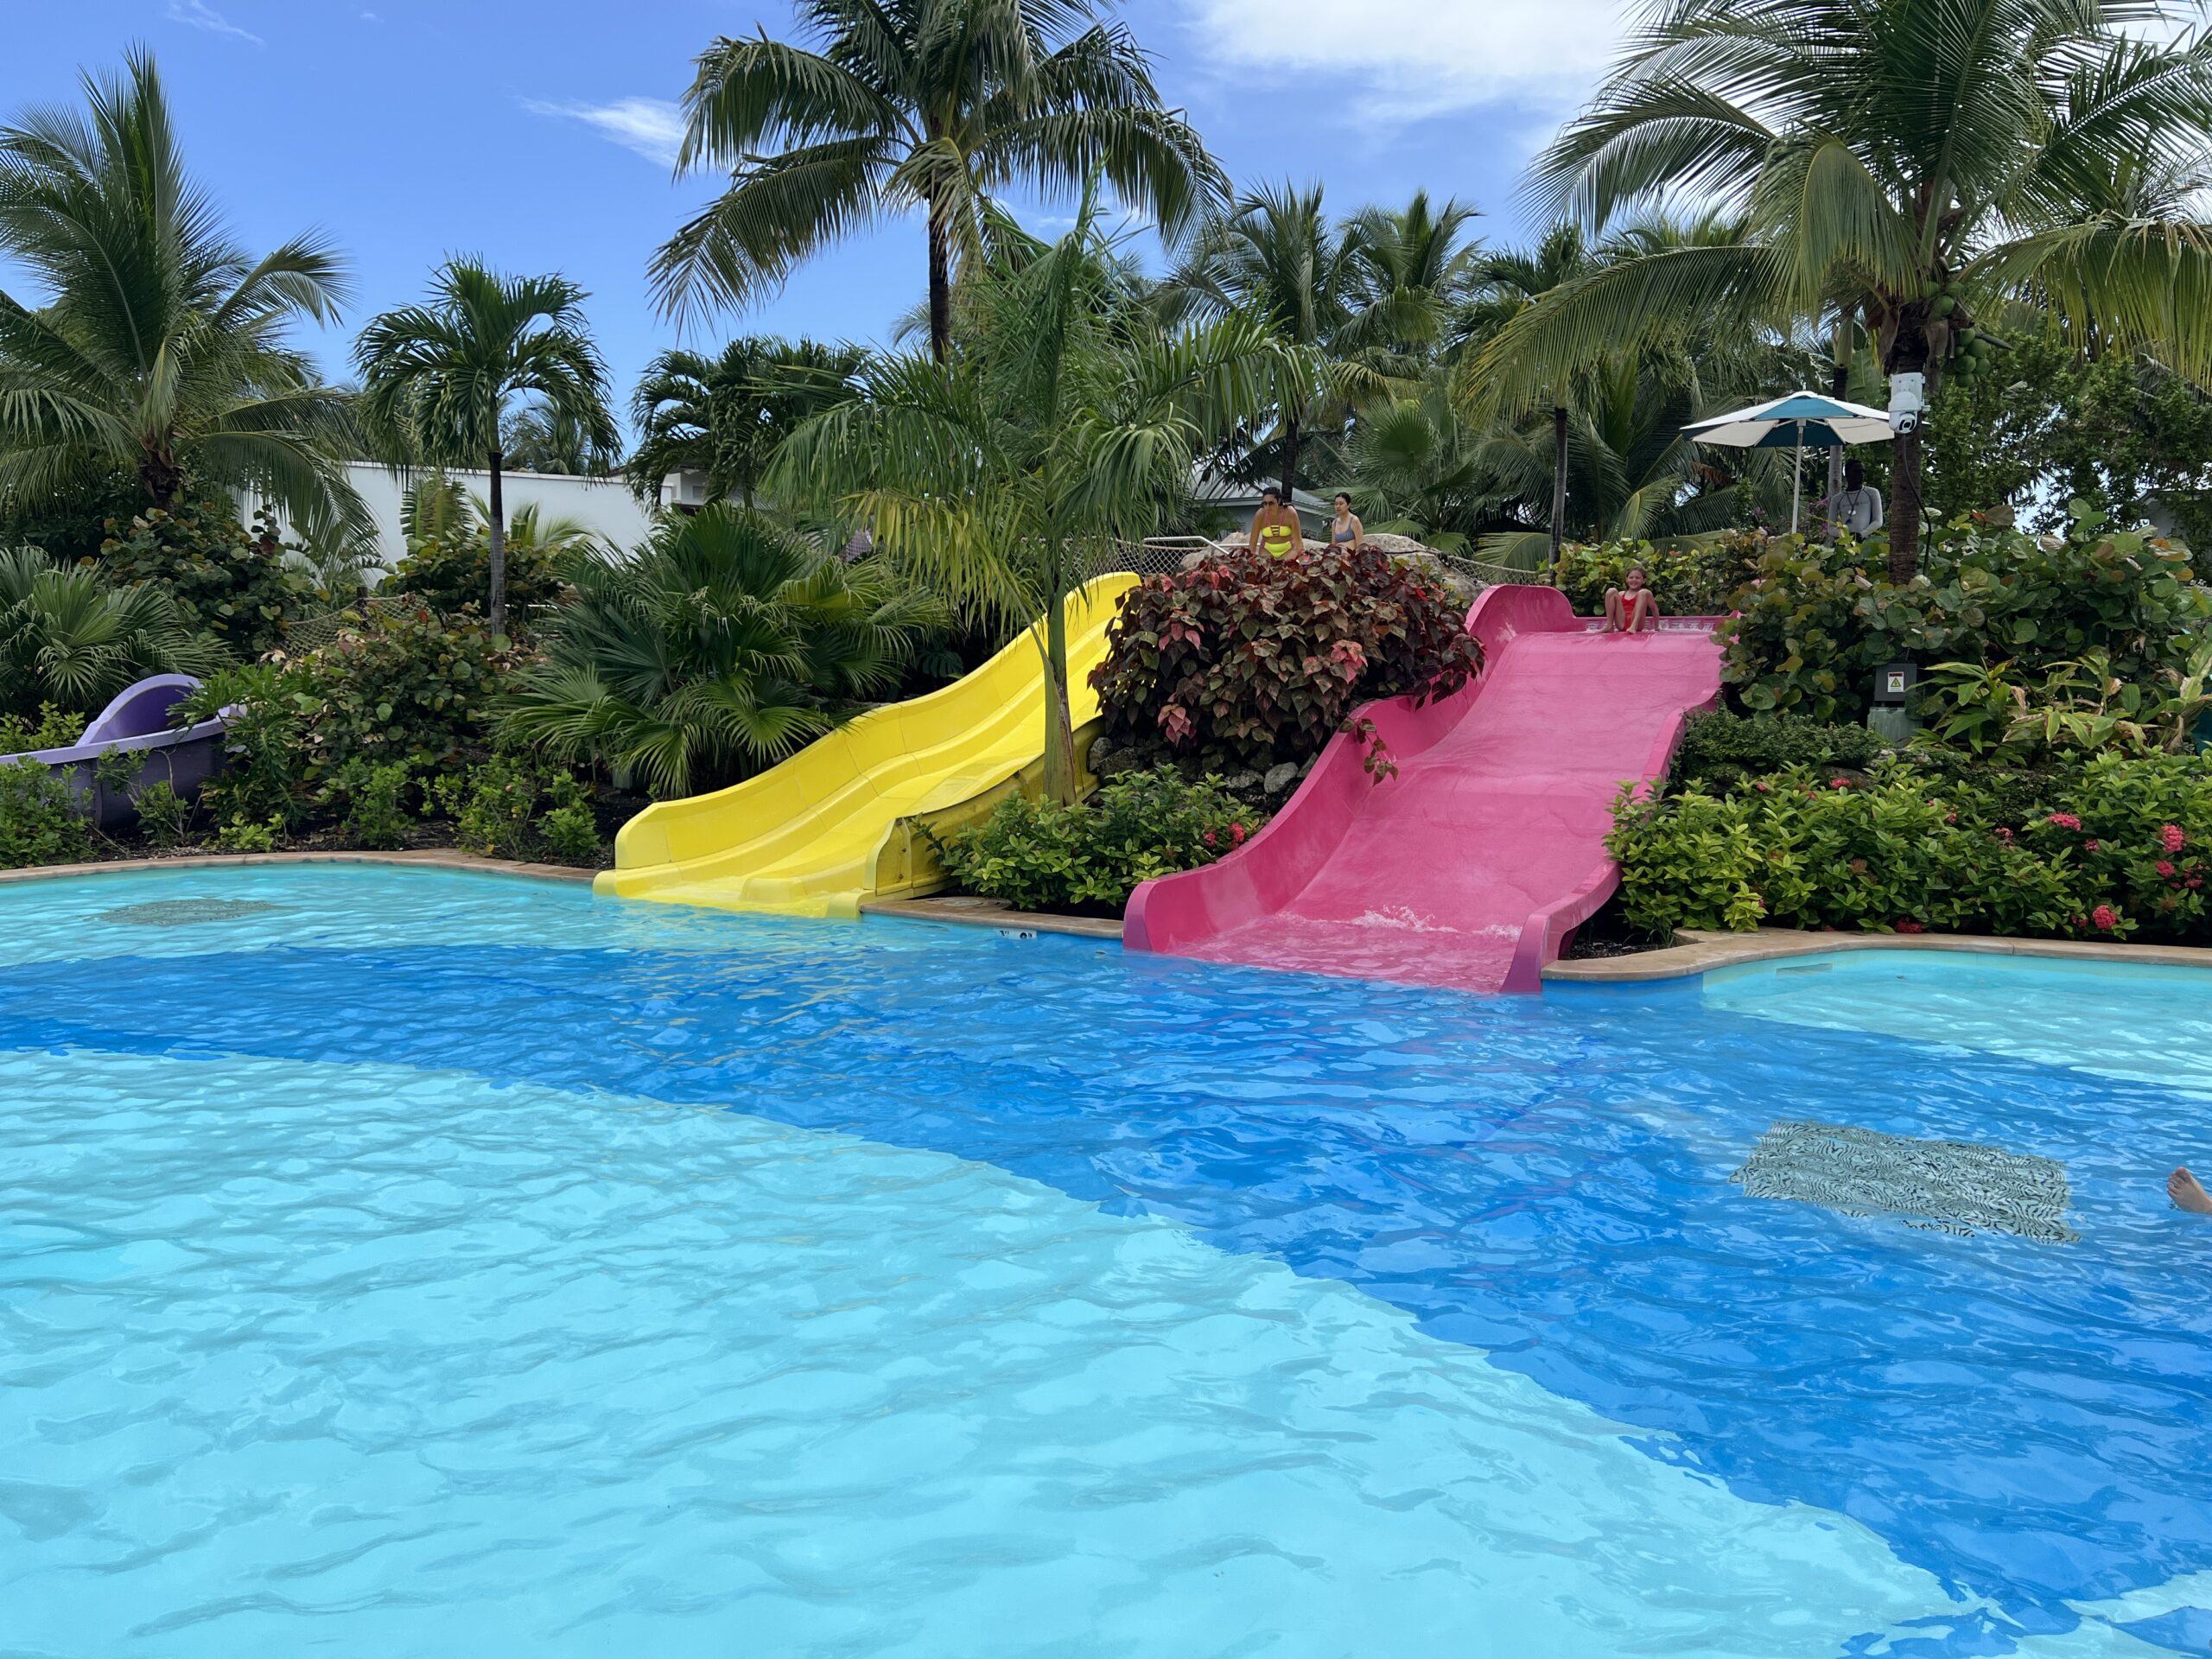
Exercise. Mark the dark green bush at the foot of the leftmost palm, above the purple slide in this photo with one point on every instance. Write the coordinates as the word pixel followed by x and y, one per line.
pixel 229 581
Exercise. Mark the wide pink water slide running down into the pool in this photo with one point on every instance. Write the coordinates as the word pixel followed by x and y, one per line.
pixel 1477 864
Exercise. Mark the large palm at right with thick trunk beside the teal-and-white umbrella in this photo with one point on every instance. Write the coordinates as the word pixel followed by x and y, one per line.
pixel 1899 165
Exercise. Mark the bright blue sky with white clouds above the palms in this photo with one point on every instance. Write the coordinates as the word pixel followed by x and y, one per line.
pixel 541 136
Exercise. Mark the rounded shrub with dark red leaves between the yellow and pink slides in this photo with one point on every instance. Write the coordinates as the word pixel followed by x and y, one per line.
pixel 1246 660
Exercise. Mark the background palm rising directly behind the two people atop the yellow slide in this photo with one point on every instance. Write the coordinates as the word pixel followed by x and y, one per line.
pixel 1275 255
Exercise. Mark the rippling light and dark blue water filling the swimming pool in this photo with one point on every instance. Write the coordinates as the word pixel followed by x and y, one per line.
pixel 446 1266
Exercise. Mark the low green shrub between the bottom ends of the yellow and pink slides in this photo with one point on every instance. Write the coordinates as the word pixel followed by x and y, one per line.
pixel 1092 857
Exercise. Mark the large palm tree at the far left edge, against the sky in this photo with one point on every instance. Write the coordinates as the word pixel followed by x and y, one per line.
pixel 160 351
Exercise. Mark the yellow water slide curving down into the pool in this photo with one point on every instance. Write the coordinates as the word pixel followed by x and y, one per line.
pixel 835 824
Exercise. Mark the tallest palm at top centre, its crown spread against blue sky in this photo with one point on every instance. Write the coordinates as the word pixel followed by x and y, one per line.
pixel 932 105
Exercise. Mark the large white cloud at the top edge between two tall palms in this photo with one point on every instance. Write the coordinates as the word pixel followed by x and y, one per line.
pixel 1417 56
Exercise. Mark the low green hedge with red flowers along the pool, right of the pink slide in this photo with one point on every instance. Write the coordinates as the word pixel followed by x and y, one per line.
pixel 2107 851
